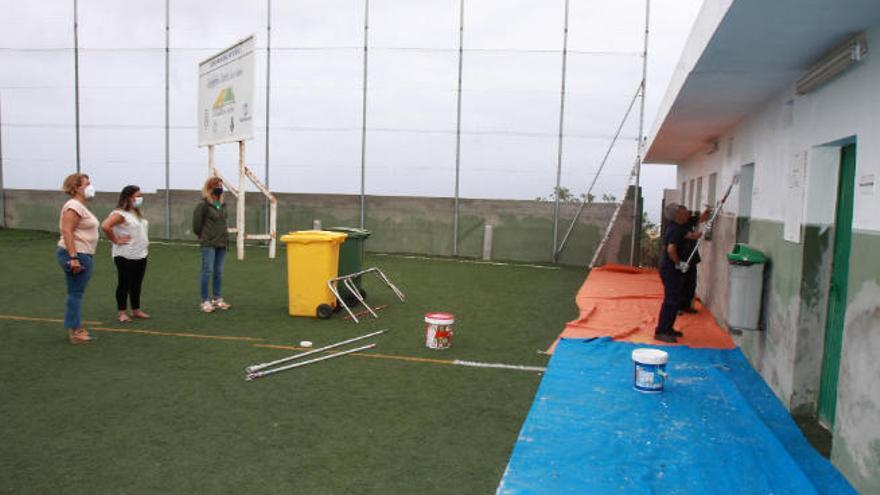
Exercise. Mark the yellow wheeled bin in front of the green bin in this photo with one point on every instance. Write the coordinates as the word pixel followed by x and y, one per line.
pixel 312 260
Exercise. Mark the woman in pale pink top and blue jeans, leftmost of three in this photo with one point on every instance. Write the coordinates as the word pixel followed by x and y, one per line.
pixel 79 238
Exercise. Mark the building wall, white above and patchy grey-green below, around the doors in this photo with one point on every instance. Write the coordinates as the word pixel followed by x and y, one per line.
pixel 788 352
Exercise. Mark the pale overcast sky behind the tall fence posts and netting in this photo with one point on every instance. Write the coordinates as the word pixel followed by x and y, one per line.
pixel 510 103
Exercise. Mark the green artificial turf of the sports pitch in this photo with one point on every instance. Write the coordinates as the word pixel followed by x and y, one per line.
pixel 144 413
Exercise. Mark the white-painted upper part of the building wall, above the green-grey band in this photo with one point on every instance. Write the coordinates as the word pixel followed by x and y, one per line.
pixel 788 124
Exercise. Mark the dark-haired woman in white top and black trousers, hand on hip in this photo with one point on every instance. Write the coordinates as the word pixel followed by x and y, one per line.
pixel 127 229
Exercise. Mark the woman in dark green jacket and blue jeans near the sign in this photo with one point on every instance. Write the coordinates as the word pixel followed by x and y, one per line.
pixel 209 224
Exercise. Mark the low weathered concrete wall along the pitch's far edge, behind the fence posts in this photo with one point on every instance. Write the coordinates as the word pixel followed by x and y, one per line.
pixel 523 230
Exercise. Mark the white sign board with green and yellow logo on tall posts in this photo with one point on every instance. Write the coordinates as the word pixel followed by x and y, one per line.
pixel 226 95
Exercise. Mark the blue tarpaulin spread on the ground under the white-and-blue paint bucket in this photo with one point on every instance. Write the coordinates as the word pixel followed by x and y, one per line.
pixel 716 428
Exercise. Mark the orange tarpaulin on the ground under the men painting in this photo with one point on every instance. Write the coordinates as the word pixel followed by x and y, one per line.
pixel 623 303
